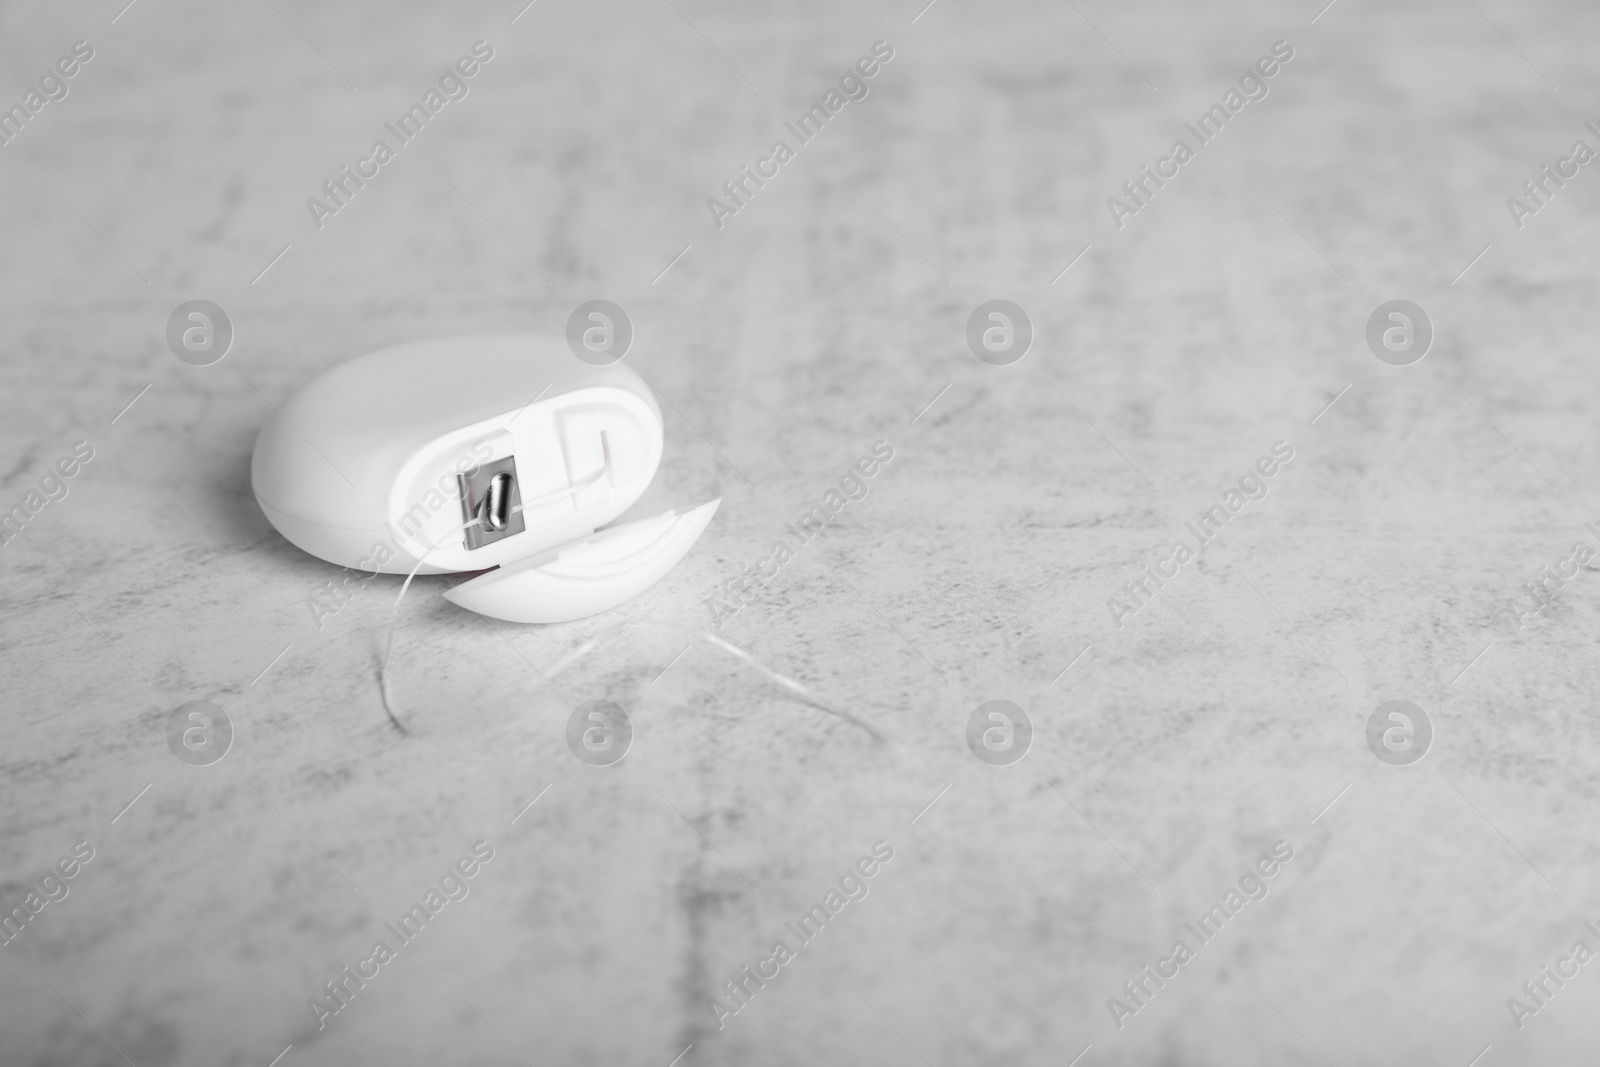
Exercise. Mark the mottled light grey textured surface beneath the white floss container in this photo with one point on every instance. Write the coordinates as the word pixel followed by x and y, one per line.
pixel 820 321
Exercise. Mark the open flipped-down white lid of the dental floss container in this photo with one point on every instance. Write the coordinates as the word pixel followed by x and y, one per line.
pixel 590 575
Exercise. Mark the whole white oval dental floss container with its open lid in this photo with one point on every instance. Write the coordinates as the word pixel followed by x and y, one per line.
pixel 474 454
